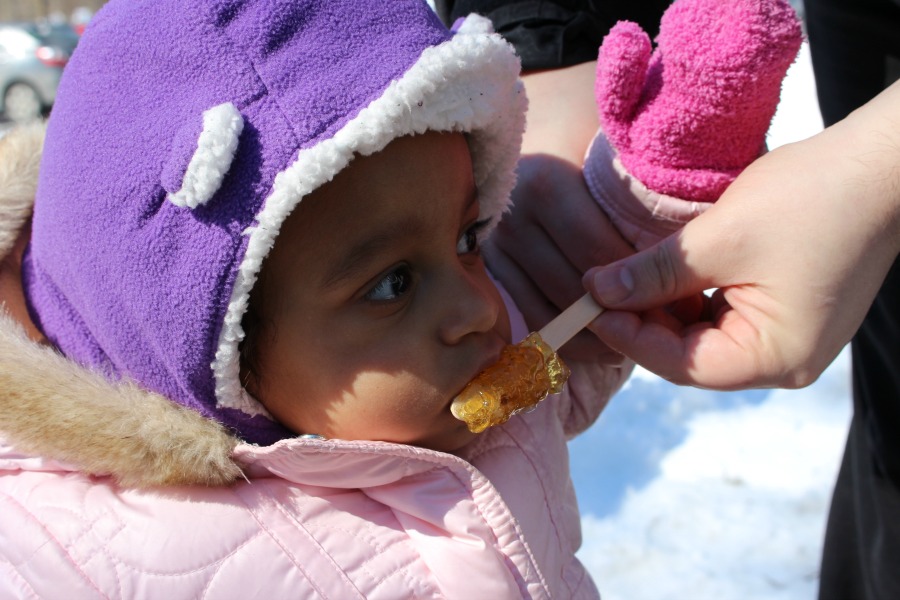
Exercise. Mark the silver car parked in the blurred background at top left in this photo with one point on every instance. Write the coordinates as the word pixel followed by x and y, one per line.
pixel 32 57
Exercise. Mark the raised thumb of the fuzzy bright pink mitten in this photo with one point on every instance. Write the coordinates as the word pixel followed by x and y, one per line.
pixel 621 72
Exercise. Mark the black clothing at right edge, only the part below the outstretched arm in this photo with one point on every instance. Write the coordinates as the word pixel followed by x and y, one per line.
pixel 861 558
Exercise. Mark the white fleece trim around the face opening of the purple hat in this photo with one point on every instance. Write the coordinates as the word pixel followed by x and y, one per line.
pixel 468 84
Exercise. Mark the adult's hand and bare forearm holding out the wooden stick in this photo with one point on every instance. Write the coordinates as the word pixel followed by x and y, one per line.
pixel 797 247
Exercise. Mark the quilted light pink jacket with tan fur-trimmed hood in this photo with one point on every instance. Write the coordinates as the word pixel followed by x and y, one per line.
pixel 107 491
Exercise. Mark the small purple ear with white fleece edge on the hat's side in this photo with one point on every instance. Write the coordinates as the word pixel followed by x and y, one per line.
pixel 207 159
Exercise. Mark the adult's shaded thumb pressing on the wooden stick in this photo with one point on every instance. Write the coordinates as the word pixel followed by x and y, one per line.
pixel 649 279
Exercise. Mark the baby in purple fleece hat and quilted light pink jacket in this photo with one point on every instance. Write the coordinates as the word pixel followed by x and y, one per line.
pixel 254 250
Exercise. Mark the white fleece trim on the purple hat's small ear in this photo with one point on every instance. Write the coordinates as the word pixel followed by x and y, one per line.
pixel 216 145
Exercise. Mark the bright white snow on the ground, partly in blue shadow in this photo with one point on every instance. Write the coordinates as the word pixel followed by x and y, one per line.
pixel 697 494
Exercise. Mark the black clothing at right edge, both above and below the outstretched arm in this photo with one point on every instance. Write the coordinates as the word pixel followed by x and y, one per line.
pixel 855 47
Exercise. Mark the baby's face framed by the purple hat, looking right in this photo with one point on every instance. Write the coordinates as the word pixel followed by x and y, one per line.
pixel 376 304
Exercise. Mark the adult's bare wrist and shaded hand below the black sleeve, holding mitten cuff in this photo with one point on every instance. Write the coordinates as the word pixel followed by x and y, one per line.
pixel 555 230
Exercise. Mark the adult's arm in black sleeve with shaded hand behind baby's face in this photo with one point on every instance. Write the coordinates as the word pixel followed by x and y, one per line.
pixel 555 230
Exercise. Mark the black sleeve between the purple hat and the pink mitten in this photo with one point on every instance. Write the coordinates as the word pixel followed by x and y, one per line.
pixel 559 33
